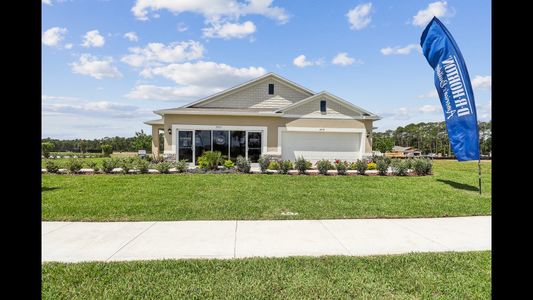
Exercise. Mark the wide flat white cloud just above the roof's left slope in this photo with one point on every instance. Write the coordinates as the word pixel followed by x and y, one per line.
pixel 205 74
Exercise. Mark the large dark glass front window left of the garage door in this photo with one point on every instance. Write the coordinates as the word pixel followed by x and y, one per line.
pixel 231 143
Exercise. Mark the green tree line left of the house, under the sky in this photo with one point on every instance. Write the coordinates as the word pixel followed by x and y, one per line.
pixel 140 141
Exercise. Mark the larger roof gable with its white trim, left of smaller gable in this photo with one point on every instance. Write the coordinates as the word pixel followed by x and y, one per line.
pixel 252 95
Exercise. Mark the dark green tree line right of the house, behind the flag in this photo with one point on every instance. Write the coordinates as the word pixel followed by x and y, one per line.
pixel 428 138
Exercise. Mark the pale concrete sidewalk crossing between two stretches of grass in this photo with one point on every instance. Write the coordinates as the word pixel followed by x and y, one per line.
pixel 116 241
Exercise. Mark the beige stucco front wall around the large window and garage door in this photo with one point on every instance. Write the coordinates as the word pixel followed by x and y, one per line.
pixel 272 124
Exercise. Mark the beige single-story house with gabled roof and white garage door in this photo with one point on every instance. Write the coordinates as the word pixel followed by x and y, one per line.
pixel 267 115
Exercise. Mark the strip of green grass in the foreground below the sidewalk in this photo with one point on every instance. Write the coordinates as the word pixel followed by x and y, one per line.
pixel 413 276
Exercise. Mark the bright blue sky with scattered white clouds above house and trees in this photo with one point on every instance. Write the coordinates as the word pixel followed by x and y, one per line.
pixel 106 65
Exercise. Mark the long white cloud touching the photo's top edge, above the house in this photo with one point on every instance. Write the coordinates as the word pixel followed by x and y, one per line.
pixel 212 9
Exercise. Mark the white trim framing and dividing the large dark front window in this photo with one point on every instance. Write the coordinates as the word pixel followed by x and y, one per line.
pixel 262 129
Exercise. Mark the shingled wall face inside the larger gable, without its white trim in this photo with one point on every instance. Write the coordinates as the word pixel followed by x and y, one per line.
pixel 256 96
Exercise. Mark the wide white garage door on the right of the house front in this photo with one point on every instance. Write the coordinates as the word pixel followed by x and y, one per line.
pixel 315 146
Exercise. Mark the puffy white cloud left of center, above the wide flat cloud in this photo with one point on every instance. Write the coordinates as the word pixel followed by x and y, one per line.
pixel 157 53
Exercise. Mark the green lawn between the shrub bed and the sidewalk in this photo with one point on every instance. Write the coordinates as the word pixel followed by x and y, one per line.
pixel 452 191
